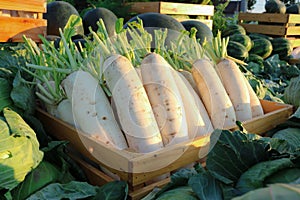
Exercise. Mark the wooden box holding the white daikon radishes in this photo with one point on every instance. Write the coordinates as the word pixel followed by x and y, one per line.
pixel 139 169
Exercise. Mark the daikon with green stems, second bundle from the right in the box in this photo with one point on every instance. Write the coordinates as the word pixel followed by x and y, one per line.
pixel 192 57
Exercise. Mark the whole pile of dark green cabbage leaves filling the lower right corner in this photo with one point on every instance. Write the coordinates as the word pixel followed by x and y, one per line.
pixel 243 166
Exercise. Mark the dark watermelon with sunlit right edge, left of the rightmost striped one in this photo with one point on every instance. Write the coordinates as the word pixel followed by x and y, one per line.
pixel 261 47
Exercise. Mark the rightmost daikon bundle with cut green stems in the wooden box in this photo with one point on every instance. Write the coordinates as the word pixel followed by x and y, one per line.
pixel 233 80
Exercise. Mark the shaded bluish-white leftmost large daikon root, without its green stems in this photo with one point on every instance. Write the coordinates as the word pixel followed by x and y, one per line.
pixel 91 109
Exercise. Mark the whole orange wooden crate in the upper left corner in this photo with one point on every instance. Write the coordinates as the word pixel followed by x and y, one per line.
pixel 19 17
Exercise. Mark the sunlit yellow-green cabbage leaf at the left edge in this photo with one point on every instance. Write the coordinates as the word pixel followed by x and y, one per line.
pixel 19 152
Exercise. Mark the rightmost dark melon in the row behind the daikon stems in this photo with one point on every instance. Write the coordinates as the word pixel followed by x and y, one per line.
pixel 203 31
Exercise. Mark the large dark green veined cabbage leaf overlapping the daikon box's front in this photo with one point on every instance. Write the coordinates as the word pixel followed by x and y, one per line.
pixel 233 154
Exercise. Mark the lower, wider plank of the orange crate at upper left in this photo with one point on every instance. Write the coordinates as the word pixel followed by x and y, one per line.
pixel 13 28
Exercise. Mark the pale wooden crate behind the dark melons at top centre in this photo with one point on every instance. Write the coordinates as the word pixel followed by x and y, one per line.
pixel 170 8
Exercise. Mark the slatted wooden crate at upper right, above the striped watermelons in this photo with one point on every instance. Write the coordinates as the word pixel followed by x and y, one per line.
pixel 279 25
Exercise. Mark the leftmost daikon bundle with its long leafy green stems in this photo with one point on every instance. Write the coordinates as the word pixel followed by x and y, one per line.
pixel 81 100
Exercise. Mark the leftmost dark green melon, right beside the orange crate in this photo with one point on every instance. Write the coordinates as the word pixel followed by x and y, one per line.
pixel 57 16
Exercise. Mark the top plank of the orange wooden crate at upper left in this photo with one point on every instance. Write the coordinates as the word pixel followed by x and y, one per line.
pixel 28 5
